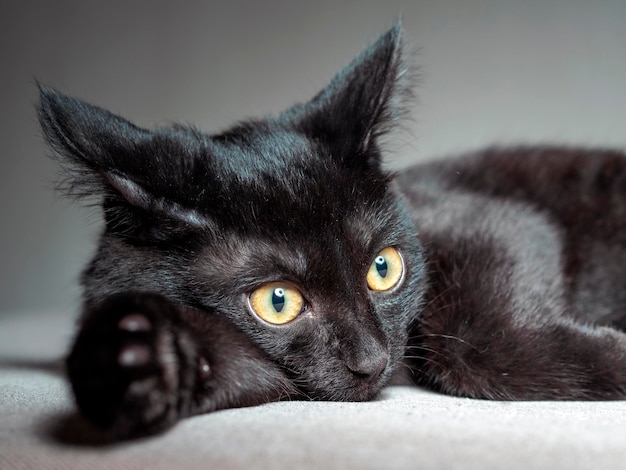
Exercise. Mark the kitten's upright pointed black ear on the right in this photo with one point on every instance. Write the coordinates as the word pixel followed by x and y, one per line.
pixel 362 102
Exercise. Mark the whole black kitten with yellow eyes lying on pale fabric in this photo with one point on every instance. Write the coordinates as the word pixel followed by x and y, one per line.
pixel 280 260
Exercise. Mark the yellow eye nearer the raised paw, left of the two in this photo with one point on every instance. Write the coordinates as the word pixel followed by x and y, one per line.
pixel 277 302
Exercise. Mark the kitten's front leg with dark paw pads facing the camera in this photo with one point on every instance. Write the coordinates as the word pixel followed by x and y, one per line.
pixel 140 363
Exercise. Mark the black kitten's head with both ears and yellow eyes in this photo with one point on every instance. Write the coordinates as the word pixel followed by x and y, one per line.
pixel 286 225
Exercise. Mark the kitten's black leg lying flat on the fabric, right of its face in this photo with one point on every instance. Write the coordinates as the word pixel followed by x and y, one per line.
pixel 561 360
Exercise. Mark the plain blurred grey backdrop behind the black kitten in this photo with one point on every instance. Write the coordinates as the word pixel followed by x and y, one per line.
pixel 491 71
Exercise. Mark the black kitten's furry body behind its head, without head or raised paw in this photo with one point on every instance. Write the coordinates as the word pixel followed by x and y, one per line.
pixel 526 249
